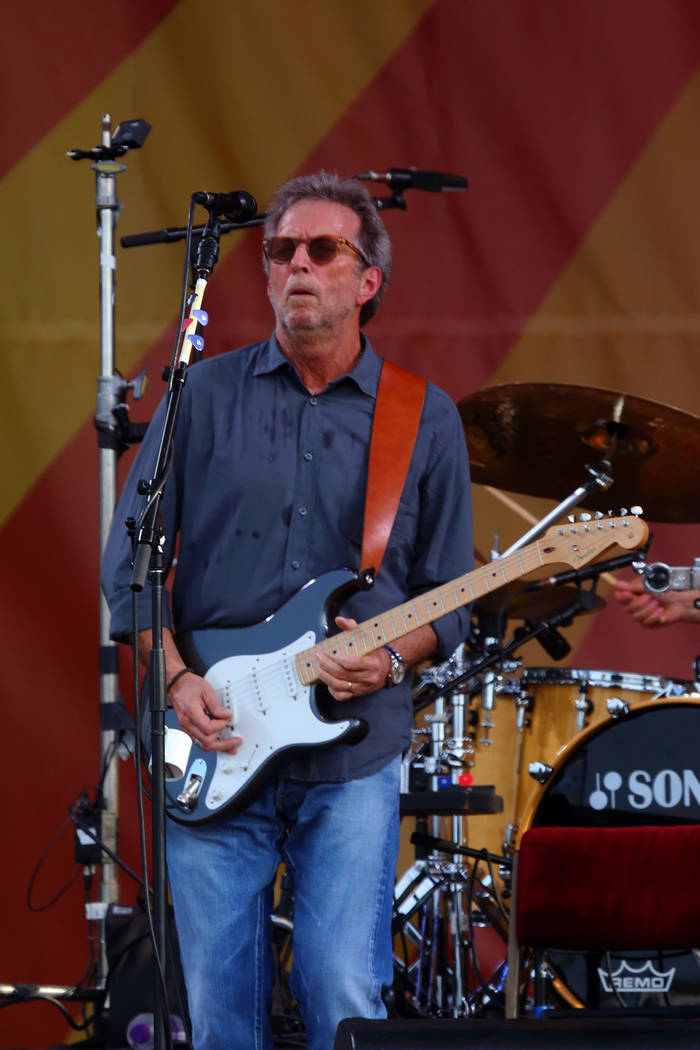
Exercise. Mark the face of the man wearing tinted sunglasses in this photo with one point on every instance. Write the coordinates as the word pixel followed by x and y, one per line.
pixel 310 298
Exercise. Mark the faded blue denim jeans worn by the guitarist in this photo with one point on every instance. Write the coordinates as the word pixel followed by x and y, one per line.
pixel 341 844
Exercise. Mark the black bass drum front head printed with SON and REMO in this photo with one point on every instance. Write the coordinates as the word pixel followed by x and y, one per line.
pixel 642 768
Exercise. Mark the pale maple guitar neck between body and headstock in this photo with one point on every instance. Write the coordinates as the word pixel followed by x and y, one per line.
pixel 402 620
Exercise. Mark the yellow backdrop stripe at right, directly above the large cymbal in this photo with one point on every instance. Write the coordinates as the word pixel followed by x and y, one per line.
pixel 625 312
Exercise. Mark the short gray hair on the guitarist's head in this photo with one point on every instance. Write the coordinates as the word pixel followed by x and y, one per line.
pixel 375 242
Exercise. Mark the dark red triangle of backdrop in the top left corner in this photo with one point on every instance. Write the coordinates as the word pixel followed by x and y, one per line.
pixel 52 58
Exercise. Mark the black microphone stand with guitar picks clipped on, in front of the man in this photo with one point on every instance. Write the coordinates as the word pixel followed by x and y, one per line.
pixel 149 560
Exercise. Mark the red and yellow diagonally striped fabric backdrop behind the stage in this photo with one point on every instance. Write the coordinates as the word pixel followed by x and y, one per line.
pixel 575 257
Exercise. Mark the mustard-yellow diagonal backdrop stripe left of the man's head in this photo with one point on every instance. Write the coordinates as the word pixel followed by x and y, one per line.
pixel 238 95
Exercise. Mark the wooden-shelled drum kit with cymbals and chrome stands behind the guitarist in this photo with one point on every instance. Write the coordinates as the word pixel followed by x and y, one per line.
pixel 499 748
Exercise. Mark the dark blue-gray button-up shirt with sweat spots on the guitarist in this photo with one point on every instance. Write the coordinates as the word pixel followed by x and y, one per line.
pixel 267 492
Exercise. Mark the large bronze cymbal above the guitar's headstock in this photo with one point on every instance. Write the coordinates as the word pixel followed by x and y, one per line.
pixel 537 439
